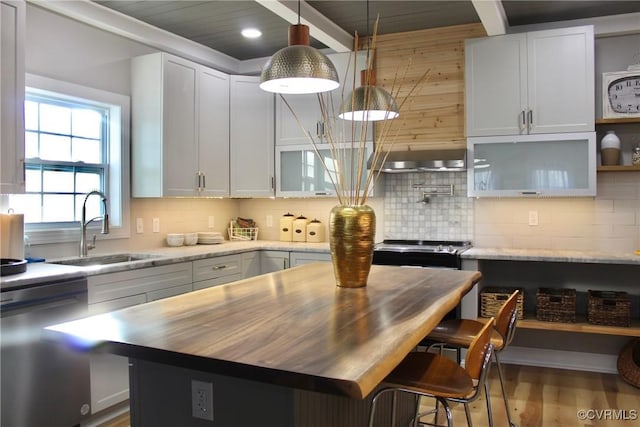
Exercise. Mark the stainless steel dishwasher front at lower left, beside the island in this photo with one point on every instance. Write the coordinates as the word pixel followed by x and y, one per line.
pixel 43 383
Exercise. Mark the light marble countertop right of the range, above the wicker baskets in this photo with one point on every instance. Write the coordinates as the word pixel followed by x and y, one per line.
pixel 550 255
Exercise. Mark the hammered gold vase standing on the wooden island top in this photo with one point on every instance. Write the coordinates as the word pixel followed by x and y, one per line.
pixel 352 232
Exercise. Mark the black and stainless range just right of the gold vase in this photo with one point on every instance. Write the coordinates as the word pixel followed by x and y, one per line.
pixel 421 253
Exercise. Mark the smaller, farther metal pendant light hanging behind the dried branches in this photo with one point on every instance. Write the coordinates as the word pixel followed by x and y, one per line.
pixel 369 102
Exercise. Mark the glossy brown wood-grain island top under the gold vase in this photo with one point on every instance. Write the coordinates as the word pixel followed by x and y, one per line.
pixel 293 328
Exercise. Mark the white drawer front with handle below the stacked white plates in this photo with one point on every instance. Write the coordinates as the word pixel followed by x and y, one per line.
pixel 216 271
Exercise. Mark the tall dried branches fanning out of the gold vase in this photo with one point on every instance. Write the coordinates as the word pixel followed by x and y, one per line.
pixel 347 140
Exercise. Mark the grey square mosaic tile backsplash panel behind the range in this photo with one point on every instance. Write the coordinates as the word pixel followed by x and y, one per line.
pixel 442 217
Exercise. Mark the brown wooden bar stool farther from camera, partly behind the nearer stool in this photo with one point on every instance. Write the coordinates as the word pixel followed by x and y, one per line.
pixel 461 332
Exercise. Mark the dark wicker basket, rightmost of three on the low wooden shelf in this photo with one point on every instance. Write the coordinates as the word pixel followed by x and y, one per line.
pixel 609 308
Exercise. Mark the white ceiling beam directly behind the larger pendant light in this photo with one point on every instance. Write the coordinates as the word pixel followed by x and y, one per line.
pixel 320 27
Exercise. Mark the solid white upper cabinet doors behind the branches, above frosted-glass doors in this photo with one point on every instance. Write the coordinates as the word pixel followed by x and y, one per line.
pixel 291 128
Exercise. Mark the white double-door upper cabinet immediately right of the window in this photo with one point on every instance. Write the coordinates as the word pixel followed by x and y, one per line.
pixel 180 128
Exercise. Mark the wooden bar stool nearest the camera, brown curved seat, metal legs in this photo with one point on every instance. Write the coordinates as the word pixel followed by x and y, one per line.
pixel 437 376
